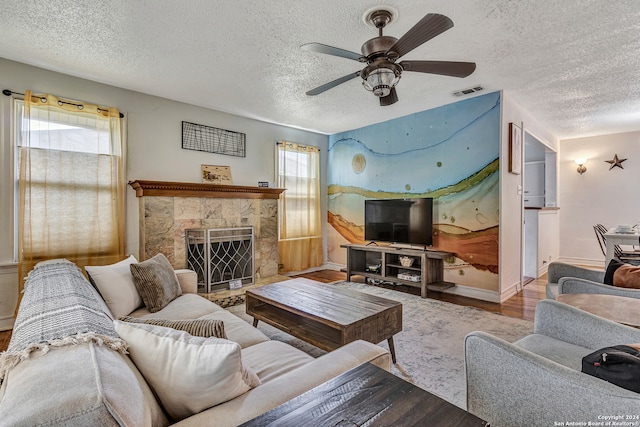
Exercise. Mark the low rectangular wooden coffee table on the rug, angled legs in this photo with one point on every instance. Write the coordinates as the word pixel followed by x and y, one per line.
pixel 325 315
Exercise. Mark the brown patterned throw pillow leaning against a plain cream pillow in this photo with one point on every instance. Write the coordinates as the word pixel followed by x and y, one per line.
pixel 156 282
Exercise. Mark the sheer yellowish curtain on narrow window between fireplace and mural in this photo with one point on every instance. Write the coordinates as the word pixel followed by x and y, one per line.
pixel 299 215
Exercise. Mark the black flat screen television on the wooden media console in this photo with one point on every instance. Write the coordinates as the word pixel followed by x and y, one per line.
pixel 408 221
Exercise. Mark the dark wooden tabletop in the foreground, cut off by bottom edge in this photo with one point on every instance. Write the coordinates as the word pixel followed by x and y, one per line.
pixel 367 395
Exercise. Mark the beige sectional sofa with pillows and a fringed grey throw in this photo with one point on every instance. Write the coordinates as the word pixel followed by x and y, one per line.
pixel 71 362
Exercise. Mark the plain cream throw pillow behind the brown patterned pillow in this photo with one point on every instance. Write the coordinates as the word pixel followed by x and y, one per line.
pixel 115 284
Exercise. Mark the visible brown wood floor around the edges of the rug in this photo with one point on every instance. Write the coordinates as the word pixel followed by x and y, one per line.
pixel 522 305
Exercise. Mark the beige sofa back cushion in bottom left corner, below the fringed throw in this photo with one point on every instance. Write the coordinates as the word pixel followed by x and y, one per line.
pixel 79 385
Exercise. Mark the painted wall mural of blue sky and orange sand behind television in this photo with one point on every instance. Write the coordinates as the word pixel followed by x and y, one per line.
pixel 450 153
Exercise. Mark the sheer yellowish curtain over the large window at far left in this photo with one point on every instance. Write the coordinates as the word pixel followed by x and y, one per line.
pixel 71 183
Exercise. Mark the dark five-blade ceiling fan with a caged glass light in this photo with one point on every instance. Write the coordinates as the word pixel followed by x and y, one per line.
pixel 382 73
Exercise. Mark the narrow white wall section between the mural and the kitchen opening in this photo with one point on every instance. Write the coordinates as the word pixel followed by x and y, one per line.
pixel 511 210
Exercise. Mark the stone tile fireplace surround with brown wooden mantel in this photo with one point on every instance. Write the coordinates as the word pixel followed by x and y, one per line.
pixel 168 209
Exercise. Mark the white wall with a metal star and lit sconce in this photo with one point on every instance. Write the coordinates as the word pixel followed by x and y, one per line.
pixel 600 195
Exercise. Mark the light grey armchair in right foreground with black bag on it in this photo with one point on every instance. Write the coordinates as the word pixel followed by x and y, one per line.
pixel 541 372
